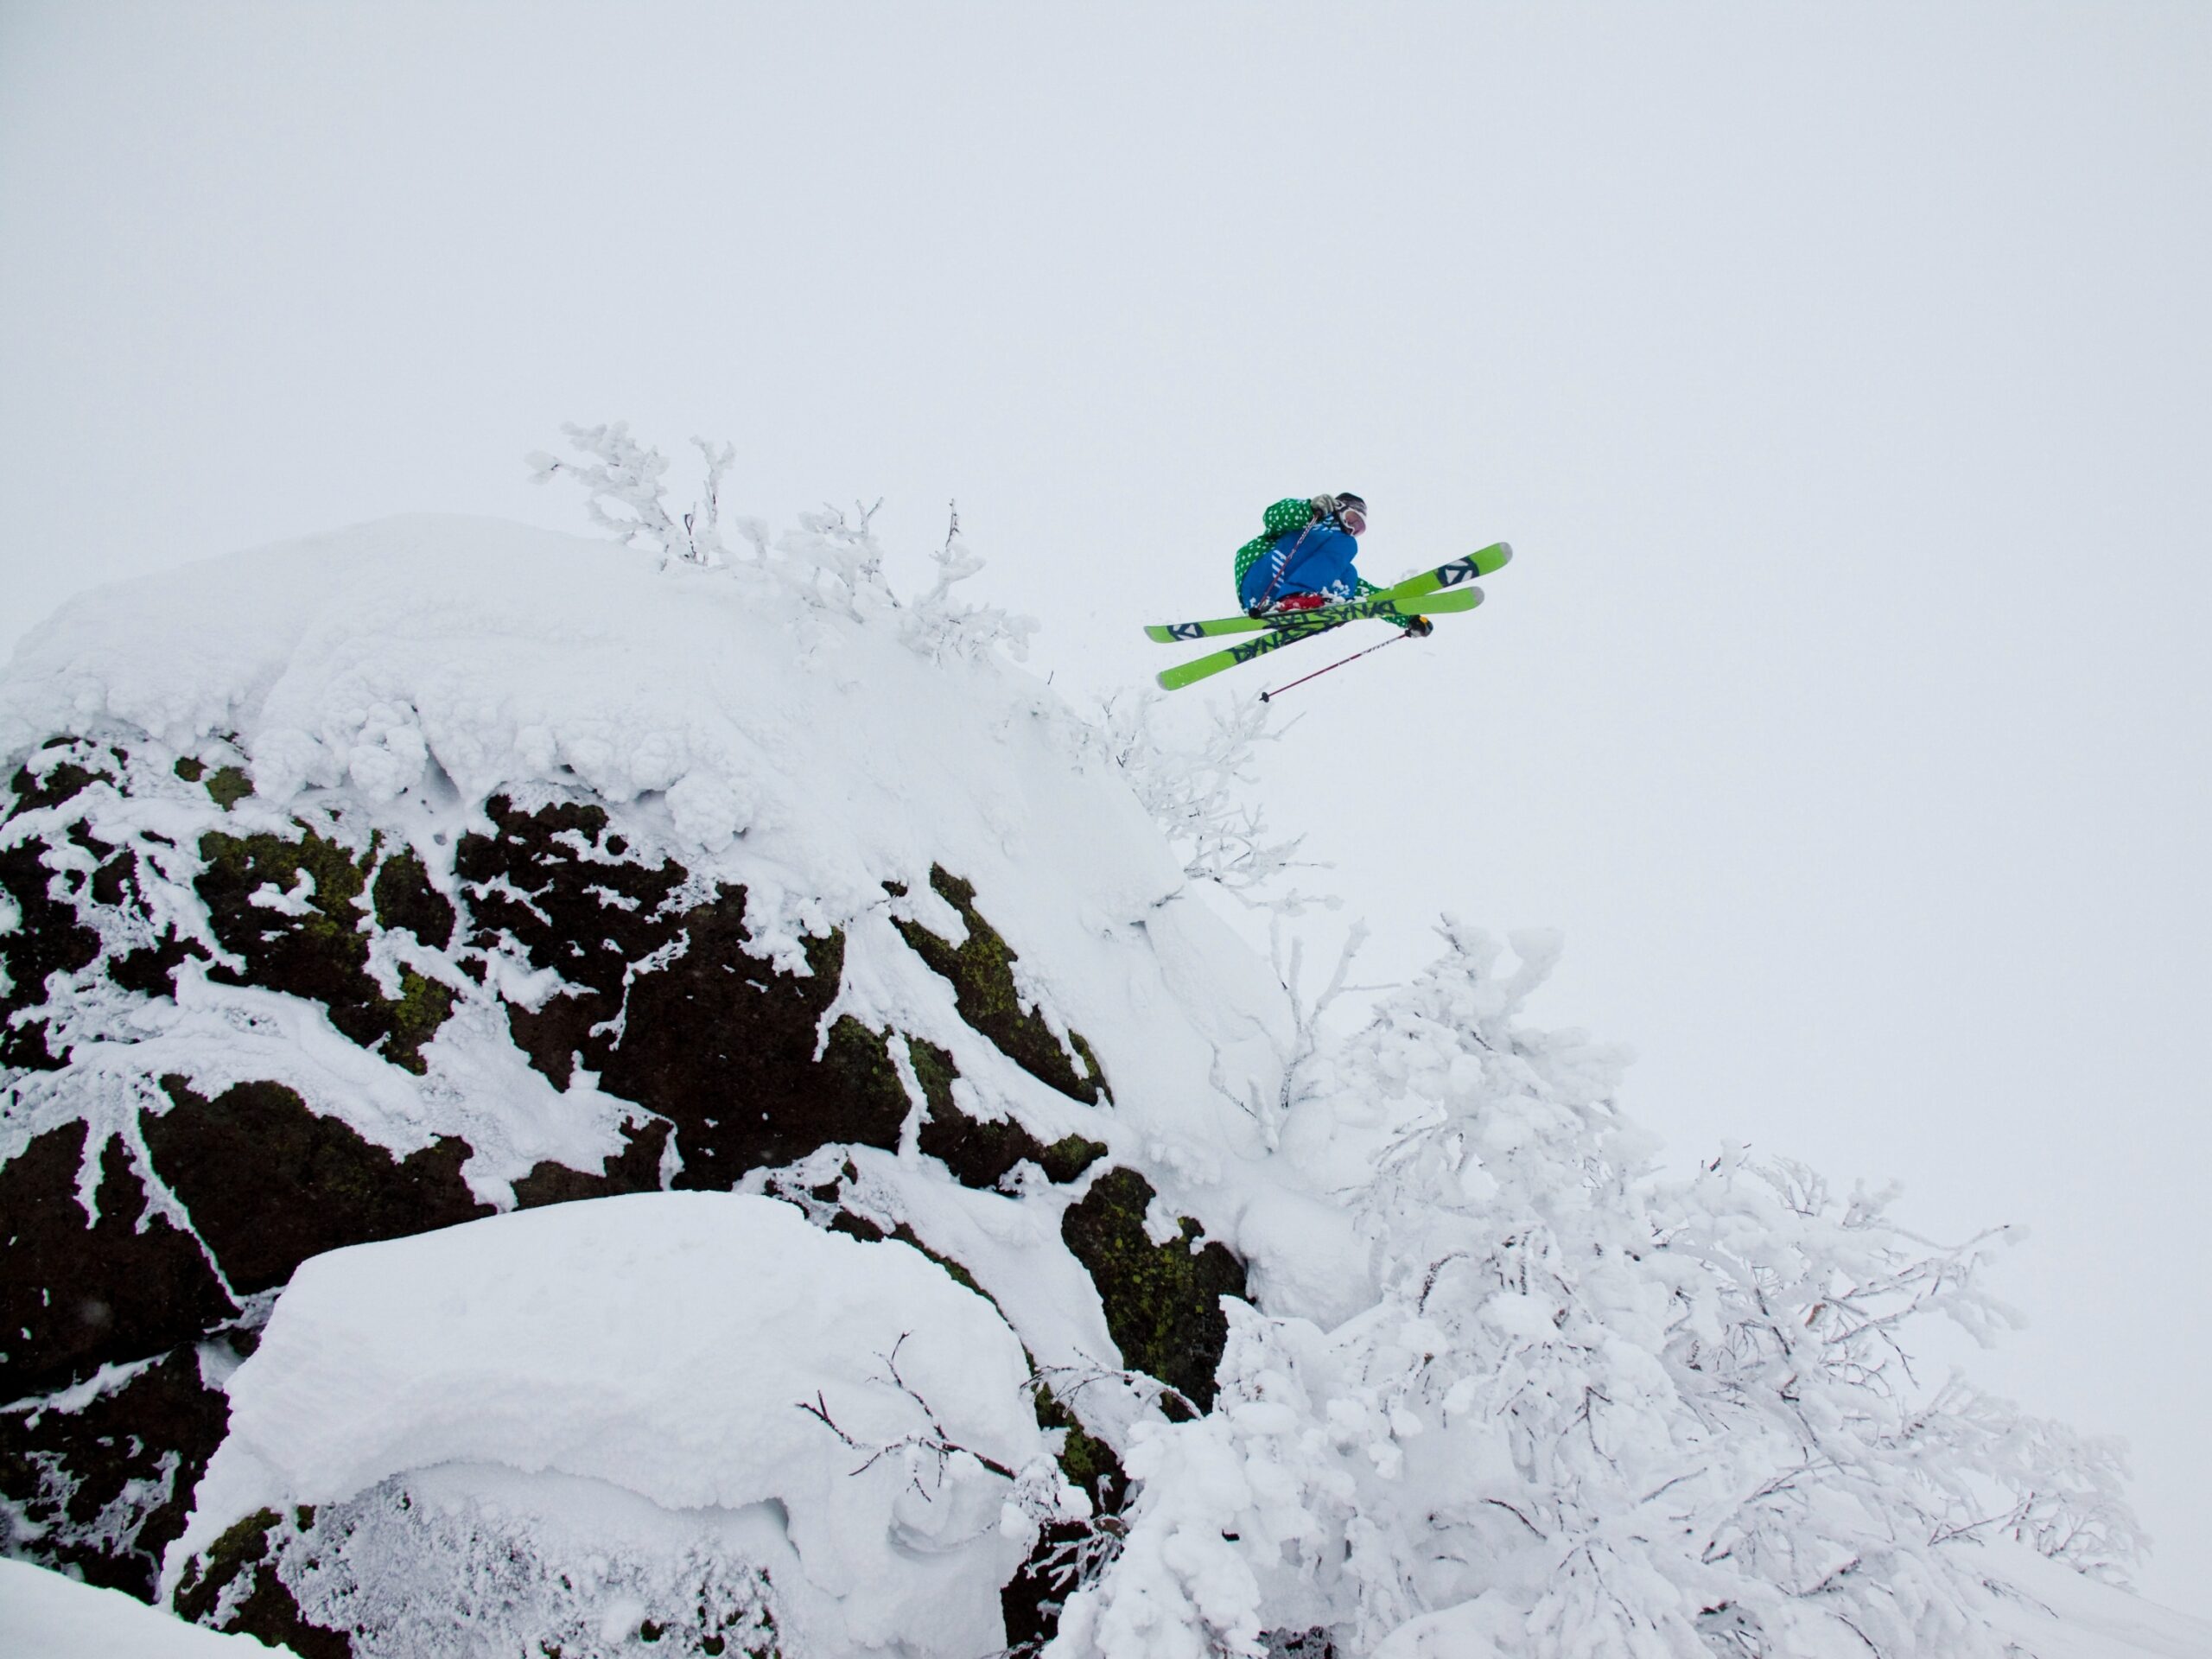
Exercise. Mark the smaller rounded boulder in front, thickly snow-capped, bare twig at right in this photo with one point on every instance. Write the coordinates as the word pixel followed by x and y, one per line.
pixel 669 1381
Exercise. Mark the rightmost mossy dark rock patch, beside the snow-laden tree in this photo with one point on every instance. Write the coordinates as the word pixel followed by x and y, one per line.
pixel 1162 1302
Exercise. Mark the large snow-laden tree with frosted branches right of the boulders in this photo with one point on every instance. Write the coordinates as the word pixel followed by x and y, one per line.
pixel 1596 1412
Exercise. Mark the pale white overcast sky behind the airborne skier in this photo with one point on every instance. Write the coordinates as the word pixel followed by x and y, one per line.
pixel 1841 375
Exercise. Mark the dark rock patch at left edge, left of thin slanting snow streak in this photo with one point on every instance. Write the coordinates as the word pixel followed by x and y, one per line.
pixel 79 1295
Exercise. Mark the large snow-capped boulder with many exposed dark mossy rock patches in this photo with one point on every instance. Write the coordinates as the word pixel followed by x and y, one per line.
pixel 437 870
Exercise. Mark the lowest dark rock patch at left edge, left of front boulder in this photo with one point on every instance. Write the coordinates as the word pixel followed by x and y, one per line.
pixel 107 1488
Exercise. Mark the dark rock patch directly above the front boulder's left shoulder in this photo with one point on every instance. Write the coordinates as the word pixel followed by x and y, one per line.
pixel 271 1182
